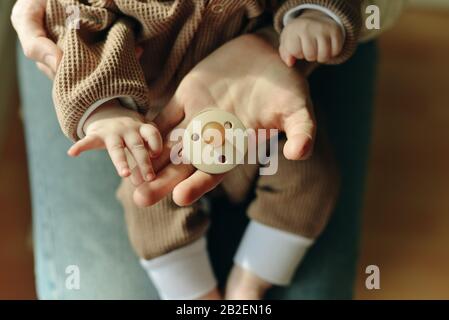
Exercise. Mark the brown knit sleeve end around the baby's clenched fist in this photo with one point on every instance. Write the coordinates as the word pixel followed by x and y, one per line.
pixel 349 12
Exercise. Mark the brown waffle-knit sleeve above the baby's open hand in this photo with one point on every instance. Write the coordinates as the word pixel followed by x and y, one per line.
pixel 99 60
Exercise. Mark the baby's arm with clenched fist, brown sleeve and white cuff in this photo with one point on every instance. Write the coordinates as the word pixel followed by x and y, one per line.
pixel 323 31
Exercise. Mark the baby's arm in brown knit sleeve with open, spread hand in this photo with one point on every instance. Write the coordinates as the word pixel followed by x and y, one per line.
pixel 99 75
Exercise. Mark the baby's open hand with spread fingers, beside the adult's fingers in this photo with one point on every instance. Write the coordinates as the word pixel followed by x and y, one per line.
pixel 114 127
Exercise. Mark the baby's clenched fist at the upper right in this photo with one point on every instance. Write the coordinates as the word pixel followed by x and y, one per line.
pixel 313 36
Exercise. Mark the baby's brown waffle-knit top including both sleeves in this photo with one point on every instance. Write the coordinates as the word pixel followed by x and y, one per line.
pixel 99 60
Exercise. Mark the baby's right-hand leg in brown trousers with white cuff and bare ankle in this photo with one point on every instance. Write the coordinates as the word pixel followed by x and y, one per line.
pixel 290 210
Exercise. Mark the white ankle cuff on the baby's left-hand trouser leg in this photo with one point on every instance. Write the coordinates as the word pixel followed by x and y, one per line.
pixel 183 274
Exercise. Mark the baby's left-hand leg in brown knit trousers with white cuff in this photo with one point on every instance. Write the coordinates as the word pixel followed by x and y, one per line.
pixel 171 243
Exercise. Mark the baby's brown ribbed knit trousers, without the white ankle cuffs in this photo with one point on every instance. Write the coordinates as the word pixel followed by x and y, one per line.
pixel 298 199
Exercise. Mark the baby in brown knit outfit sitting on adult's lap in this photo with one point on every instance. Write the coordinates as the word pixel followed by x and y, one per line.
pixel 105 85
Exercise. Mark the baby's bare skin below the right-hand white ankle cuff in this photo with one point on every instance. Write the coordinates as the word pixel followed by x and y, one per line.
pixel 245 285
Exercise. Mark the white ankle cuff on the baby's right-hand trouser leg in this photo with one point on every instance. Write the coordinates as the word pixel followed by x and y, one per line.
pixel 272 254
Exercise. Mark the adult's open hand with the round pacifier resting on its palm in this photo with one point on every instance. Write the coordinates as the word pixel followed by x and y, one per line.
pixel 246 77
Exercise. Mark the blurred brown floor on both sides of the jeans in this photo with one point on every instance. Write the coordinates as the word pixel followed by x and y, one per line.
pixel 406 228
